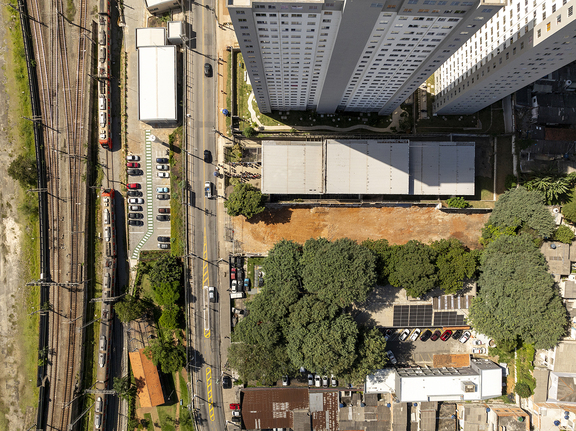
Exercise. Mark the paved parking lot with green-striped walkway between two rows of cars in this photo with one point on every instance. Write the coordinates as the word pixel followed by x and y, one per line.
pixel 145 237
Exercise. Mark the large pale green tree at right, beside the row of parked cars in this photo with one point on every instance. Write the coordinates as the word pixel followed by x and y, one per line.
pixel 517 298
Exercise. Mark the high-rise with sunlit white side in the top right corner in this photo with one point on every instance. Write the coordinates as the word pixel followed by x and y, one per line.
pixel 523 42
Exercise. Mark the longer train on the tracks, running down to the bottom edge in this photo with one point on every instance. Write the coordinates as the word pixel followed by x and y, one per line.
pixel 107 311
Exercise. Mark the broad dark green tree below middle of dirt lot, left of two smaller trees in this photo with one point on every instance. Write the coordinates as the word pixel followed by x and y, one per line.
pixel 339 272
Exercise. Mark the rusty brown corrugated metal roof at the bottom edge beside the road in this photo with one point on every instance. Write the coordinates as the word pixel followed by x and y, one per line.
pixel 264 408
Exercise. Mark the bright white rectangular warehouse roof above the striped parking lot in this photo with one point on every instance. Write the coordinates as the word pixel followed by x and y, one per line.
pixel 157 84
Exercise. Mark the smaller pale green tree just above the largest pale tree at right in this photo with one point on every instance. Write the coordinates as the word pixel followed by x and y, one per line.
pixel 518 208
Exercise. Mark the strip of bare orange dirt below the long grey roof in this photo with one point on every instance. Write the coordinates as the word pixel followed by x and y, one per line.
pixel 397 225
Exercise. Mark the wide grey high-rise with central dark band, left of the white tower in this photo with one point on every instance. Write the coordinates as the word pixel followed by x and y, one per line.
pixel 351 55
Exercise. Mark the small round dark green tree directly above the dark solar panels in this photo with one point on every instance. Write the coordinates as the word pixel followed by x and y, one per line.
pixel 412 267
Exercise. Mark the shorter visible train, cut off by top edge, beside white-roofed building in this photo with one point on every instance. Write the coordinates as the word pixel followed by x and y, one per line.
pixel 103 59
